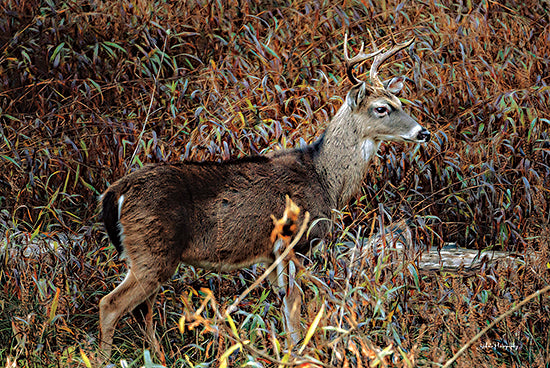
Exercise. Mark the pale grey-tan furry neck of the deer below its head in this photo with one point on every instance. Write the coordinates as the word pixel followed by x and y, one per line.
pixel 343 157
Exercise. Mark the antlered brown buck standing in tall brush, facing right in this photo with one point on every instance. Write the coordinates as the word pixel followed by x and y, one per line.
pixel 218 215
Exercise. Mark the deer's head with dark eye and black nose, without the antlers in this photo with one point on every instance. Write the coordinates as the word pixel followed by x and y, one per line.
pixel 380 114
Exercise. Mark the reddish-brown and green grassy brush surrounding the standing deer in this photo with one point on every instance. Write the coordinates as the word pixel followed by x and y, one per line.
pixel 90 90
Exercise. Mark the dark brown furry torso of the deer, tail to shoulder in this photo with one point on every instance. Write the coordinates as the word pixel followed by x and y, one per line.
pixel 212 215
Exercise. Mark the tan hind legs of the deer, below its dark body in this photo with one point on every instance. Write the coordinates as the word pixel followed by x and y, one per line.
pixel 137 288
